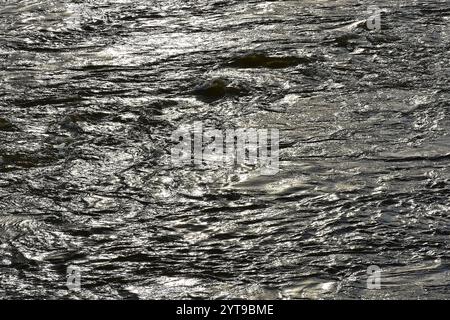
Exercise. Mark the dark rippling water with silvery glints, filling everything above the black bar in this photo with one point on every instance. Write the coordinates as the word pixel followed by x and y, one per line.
pixel 91 92
